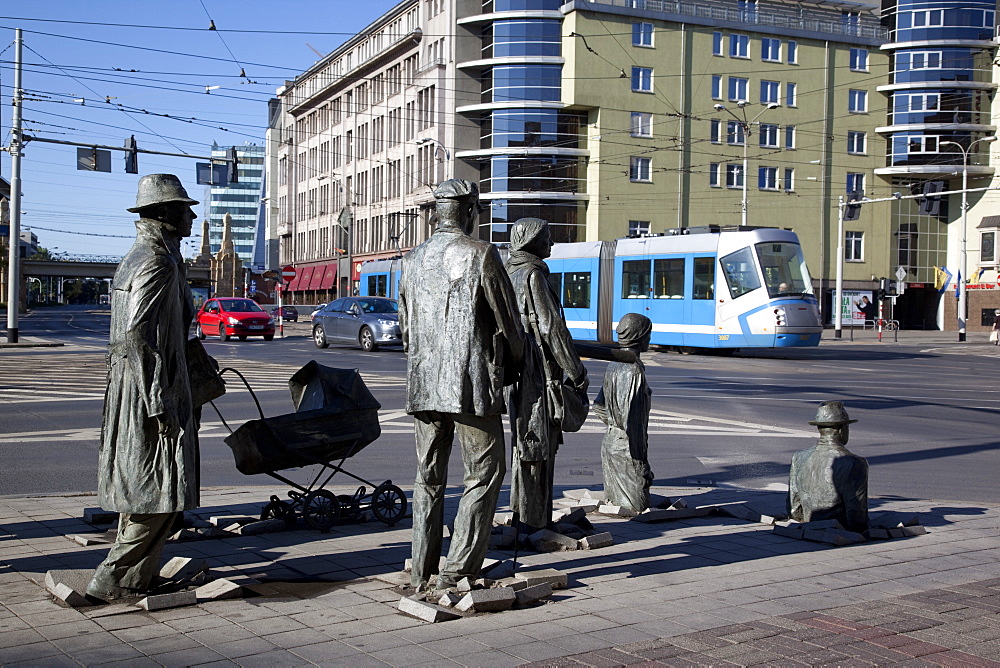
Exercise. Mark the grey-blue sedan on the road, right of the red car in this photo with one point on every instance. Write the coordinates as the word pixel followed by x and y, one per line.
pixel 370 322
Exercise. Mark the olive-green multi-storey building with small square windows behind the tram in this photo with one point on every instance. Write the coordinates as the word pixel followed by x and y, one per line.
pixel 729 113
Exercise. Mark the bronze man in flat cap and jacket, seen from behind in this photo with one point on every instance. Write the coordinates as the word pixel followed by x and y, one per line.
pixel 464 343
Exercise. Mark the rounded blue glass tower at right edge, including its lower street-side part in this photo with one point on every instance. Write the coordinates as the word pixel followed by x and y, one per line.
pixel 939 106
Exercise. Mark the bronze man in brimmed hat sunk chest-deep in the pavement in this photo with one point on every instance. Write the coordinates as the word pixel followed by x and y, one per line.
pixel 828 481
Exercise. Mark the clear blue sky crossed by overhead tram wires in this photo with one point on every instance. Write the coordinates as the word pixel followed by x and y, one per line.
pixel 92 61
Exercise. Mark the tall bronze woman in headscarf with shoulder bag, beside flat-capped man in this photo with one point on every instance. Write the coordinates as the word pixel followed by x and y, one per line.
pixel 536 405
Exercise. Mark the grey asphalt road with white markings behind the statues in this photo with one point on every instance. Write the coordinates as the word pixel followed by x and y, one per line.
pixel 928 412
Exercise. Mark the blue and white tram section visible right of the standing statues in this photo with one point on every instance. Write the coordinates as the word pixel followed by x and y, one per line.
pixel 702 288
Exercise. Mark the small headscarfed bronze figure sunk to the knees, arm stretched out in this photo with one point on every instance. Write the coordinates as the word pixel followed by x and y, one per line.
pixel 623 404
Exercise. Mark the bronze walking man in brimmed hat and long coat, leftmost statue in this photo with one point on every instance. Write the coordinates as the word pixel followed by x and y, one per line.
pixel 148 460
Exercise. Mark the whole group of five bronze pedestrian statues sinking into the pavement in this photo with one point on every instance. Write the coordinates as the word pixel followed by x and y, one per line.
pixel 482 338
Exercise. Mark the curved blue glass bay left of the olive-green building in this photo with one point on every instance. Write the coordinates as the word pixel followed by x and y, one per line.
pixel 528 125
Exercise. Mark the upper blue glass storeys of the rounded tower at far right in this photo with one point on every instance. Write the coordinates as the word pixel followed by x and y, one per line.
pixel 925 53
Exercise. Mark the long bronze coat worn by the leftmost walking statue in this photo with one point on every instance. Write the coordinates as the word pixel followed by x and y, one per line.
pixel 151 311
